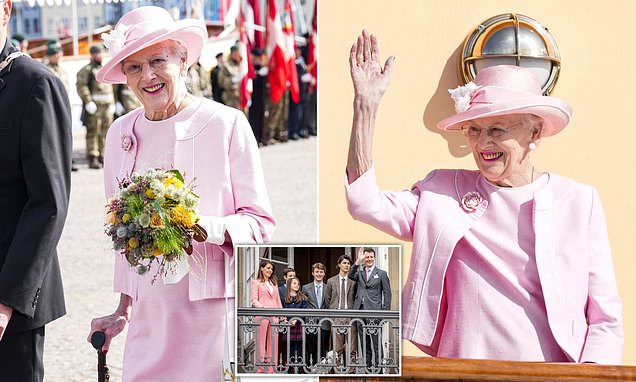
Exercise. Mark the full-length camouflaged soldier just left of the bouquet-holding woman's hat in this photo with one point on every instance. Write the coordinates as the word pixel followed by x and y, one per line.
pixel 99 107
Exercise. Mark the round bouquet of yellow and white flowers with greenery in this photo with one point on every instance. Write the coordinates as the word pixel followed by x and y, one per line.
pixel 153 215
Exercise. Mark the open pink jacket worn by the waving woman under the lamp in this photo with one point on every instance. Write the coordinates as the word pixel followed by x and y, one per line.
pixel 572 252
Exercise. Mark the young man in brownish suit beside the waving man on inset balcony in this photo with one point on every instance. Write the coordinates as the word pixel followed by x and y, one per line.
pixel 340 294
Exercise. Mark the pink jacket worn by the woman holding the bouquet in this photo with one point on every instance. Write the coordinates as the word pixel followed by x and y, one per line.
pixel 219 150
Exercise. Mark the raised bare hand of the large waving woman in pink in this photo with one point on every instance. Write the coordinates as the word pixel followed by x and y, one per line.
pixel 370 79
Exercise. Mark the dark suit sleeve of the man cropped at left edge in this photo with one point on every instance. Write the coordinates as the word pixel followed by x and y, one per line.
pixel 45 147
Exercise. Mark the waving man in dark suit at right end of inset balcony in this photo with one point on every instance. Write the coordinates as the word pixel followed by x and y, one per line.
pixel 373 292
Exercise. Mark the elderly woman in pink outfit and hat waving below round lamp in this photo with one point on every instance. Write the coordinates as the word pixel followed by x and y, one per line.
pixel 509 262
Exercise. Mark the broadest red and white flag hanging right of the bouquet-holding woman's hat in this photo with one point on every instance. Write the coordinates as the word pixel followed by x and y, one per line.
pixel 282 66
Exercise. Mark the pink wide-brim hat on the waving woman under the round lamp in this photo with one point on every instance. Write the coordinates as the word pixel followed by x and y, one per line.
pixel 507 89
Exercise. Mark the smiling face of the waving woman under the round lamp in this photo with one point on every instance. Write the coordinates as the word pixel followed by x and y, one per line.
pixel 500 147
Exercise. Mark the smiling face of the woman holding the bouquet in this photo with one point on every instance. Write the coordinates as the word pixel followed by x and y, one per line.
pixel 155 74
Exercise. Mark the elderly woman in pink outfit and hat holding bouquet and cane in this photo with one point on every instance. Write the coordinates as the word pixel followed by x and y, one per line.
pixel 176 324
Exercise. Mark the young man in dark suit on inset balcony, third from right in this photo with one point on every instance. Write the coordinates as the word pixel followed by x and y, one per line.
pixel 315 292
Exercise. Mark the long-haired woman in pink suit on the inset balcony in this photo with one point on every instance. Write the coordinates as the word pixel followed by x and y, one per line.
pixel 265 295
